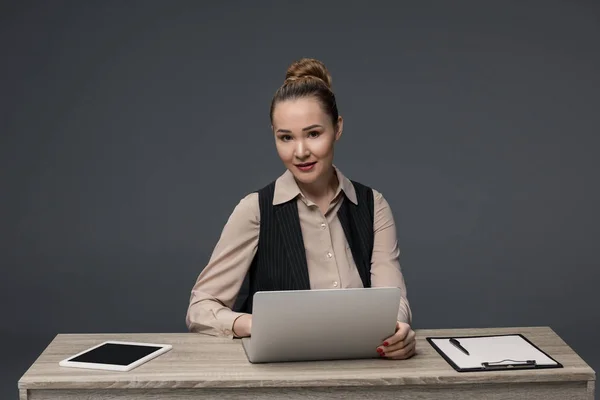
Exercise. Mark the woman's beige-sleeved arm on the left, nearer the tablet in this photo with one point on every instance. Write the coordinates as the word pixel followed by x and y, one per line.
pixel 217 286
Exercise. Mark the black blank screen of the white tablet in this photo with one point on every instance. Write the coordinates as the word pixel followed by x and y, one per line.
pixel 116 354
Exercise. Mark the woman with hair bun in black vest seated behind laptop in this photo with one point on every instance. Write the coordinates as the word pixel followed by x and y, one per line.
pixel 338 233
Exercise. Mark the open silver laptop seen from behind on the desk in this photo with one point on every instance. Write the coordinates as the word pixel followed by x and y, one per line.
pixel 321 324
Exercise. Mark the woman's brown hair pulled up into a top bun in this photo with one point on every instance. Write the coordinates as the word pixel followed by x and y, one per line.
pixel 307 77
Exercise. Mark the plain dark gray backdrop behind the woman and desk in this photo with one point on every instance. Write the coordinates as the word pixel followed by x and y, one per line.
pixel 130 130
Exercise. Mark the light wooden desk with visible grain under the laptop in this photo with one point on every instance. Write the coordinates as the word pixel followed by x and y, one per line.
pixel 203 367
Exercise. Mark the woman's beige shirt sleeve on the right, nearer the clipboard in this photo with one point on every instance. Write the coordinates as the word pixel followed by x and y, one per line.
pixel 385 264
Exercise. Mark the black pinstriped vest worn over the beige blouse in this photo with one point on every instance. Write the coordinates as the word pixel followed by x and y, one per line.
pixel 280 260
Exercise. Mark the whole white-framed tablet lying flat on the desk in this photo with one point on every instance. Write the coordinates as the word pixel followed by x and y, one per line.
pixel 116 355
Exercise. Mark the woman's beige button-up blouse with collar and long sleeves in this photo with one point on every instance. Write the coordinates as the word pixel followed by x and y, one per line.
pixel 329 258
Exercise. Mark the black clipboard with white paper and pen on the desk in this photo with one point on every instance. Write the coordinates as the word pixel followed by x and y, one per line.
pixel 504 352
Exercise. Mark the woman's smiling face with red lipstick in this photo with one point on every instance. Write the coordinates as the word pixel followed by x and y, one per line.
pixel 305 137
